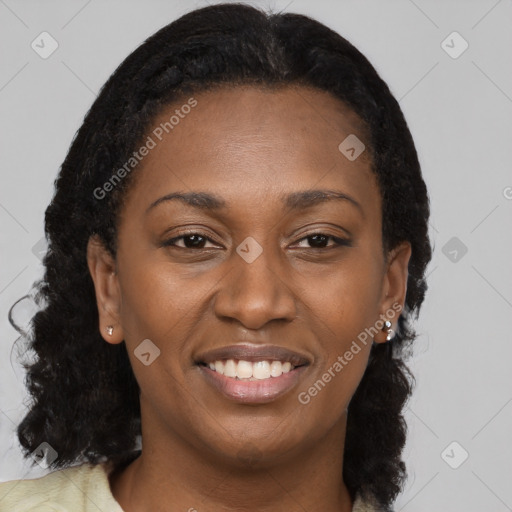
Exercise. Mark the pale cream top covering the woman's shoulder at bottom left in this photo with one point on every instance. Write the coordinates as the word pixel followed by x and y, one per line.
pixel 83 488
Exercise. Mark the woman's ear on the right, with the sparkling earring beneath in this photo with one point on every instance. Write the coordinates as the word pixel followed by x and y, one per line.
pixel 394 287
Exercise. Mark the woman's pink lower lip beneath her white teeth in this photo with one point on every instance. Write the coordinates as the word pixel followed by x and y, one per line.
pixel 253 391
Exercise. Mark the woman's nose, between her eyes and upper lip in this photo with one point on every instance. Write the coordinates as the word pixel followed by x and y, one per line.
pixel 256 293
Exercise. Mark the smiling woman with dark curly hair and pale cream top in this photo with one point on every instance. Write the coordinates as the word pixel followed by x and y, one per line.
pixel 237 247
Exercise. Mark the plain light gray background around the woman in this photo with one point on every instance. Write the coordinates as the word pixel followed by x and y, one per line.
pixel 460 114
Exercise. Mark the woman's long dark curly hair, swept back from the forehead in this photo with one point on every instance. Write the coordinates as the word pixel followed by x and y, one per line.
pixel 84 396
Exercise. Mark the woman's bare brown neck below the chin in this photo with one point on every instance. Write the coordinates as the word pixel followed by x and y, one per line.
pixel 169 471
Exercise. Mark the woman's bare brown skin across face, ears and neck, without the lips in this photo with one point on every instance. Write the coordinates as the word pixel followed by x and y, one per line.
pixel 248 146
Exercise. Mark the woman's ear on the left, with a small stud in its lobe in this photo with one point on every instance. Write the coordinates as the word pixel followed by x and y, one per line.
pixel 102 267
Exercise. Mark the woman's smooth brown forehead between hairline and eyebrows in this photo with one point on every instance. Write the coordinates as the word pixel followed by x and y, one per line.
pixel 247 141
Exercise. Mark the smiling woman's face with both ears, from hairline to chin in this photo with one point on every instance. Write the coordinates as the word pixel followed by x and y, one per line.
pixel 259 260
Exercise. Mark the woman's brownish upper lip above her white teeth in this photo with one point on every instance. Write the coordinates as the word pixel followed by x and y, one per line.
pixel 253 353
